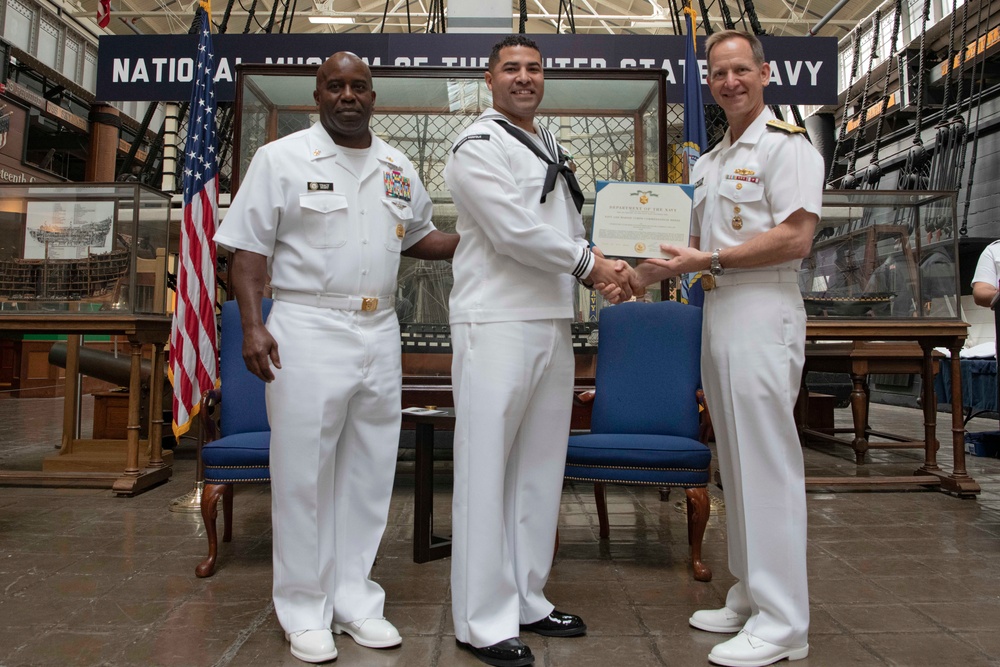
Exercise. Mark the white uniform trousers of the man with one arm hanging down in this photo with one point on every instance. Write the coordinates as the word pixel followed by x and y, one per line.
pixel 334 409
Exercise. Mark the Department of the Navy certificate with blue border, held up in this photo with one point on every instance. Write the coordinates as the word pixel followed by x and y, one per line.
pixel 633 219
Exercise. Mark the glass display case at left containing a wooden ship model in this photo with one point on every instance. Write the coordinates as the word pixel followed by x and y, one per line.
pixel 83 248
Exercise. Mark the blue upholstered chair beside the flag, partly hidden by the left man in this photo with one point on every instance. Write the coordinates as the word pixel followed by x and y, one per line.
pixel 238 452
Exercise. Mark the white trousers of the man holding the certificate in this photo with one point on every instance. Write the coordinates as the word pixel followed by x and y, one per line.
pixel 753 351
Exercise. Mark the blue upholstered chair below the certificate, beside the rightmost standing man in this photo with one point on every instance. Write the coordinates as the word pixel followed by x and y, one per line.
pixel 645 423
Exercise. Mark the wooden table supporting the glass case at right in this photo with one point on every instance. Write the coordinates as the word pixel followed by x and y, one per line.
pixel 879 346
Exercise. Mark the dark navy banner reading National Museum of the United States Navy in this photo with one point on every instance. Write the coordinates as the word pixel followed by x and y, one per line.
pixel 160 67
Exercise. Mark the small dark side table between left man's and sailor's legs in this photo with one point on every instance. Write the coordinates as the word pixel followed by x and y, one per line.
pixel 426 545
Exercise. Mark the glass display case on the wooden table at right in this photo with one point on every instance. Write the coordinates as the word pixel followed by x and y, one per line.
pixel 883 255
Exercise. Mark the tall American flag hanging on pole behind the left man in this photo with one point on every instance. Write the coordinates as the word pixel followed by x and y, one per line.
pixel 193 357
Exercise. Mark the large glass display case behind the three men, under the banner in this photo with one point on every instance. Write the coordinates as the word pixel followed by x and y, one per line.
pixel 613 122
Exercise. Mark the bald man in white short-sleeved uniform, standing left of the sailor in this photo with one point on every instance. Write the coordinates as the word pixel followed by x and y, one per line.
pixel 328 211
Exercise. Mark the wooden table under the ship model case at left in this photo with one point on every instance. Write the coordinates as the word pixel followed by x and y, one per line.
pixel 140 330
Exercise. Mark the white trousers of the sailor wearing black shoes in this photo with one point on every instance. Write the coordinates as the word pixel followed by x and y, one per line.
pixel 513 385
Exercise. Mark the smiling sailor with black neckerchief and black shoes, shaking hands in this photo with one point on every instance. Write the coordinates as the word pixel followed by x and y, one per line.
pixel 522 244
